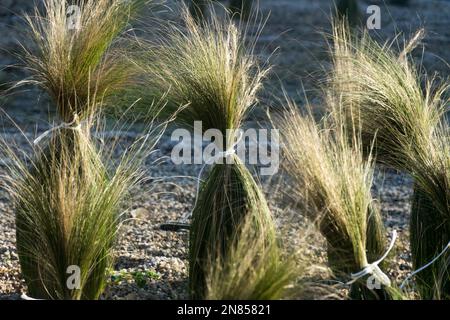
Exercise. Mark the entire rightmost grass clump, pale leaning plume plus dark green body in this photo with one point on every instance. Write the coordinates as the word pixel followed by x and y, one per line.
pixel 383 92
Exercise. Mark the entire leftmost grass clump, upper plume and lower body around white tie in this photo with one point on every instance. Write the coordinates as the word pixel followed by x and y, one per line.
pixel 66 197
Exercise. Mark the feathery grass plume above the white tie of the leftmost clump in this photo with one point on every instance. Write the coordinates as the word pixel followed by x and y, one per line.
pixel 75 52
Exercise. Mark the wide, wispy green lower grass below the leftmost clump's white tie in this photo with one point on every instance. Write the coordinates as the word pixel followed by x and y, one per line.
pixel 68 213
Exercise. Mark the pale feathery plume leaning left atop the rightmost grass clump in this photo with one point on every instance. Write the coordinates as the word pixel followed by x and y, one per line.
pixel 381 91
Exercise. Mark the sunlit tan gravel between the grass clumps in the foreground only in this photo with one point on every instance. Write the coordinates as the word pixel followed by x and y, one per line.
pixel 144 247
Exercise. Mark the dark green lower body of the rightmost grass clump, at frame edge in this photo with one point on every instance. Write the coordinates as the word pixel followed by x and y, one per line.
pixel 430 214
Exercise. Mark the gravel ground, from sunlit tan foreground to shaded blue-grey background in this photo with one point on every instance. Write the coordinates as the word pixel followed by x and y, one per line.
pixel 143 247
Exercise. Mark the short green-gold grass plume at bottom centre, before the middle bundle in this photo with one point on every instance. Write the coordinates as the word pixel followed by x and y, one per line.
pixel 253 268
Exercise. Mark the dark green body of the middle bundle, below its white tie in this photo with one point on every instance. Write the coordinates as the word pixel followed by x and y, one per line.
pixel 228 197
